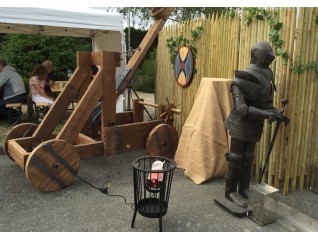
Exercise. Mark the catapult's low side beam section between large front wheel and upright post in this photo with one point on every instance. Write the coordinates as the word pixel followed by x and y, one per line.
pixel 90 150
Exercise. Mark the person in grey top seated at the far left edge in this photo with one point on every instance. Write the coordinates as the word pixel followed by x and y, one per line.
pixel 12 88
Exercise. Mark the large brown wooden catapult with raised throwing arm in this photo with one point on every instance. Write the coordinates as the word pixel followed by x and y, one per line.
pixel 52 161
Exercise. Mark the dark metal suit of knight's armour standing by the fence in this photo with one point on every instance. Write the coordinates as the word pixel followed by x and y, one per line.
pixel 252 92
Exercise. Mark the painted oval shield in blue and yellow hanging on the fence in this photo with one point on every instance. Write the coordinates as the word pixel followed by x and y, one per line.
pixel 184 66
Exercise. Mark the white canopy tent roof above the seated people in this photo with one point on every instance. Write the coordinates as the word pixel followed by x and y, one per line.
pixel 104 28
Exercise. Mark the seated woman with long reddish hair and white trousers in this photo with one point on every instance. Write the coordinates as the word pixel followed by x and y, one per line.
pixel 37 83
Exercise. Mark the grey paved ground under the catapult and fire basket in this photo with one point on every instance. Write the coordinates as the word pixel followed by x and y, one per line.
pixel 83 208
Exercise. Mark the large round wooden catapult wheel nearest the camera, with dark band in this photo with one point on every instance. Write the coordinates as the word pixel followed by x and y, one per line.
pixel 52 165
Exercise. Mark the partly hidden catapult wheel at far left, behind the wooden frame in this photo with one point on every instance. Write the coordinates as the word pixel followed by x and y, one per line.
pixel 19 131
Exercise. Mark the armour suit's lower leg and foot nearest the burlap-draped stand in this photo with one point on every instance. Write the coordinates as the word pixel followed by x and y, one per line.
pixel 232 178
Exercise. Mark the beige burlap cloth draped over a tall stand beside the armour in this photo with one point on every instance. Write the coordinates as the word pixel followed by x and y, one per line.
pixel 204 139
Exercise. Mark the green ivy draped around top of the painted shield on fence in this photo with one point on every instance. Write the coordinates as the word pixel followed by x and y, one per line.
pixel 174 44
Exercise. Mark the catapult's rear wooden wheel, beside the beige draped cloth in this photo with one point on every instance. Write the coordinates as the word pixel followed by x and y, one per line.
pixel 162 141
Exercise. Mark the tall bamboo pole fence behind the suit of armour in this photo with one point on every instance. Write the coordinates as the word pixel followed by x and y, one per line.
pixel 225 47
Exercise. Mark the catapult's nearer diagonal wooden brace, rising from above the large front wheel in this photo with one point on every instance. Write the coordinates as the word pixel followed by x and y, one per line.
pixel 80 115
